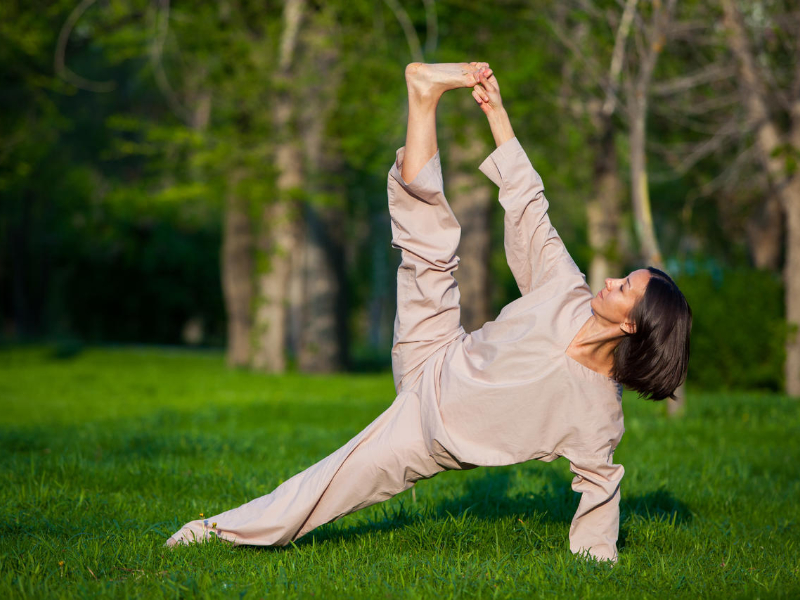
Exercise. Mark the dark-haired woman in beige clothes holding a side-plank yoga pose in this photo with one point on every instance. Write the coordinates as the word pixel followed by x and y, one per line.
pixel 540 382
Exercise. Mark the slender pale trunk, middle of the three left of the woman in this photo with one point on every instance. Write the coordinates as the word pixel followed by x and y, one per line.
pixel 277 238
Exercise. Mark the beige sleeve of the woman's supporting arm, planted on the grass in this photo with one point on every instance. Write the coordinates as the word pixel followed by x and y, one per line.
pixel 595 526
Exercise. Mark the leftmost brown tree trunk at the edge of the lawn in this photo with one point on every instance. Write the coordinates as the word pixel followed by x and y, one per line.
pixel 237 274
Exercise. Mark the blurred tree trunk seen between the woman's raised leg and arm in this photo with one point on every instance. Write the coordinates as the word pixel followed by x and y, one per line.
pixel 471 199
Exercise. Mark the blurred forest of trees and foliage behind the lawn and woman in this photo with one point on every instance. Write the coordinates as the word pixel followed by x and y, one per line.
pixel 213 173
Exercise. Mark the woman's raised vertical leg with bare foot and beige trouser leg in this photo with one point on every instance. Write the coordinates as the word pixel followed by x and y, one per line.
pixel 424 227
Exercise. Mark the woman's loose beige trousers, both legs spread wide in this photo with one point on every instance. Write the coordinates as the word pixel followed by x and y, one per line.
pixel 392 453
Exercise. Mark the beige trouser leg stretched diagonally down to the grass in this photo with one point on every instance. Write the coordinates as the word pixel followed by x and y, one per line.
pixel 383 460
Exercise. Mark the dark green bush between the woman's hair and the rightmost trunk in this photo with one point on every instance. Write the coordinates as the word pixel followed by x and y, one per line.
pixel 738 329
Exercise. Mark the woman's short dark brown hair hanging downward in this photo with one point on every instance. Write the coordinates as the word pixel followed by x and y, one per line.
pixel 653 360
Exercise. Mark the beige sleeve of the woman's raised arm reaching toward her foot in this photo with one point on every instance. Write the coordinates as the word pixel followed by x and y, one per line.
pixel 534 250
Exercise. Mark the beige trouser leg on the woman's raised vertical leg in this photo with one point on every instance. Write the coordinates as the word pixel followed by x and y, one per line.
pixel 427 233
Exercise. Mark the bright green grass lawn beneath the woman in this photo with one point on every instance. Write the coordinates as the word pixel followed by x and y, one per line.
pixel 105 454
